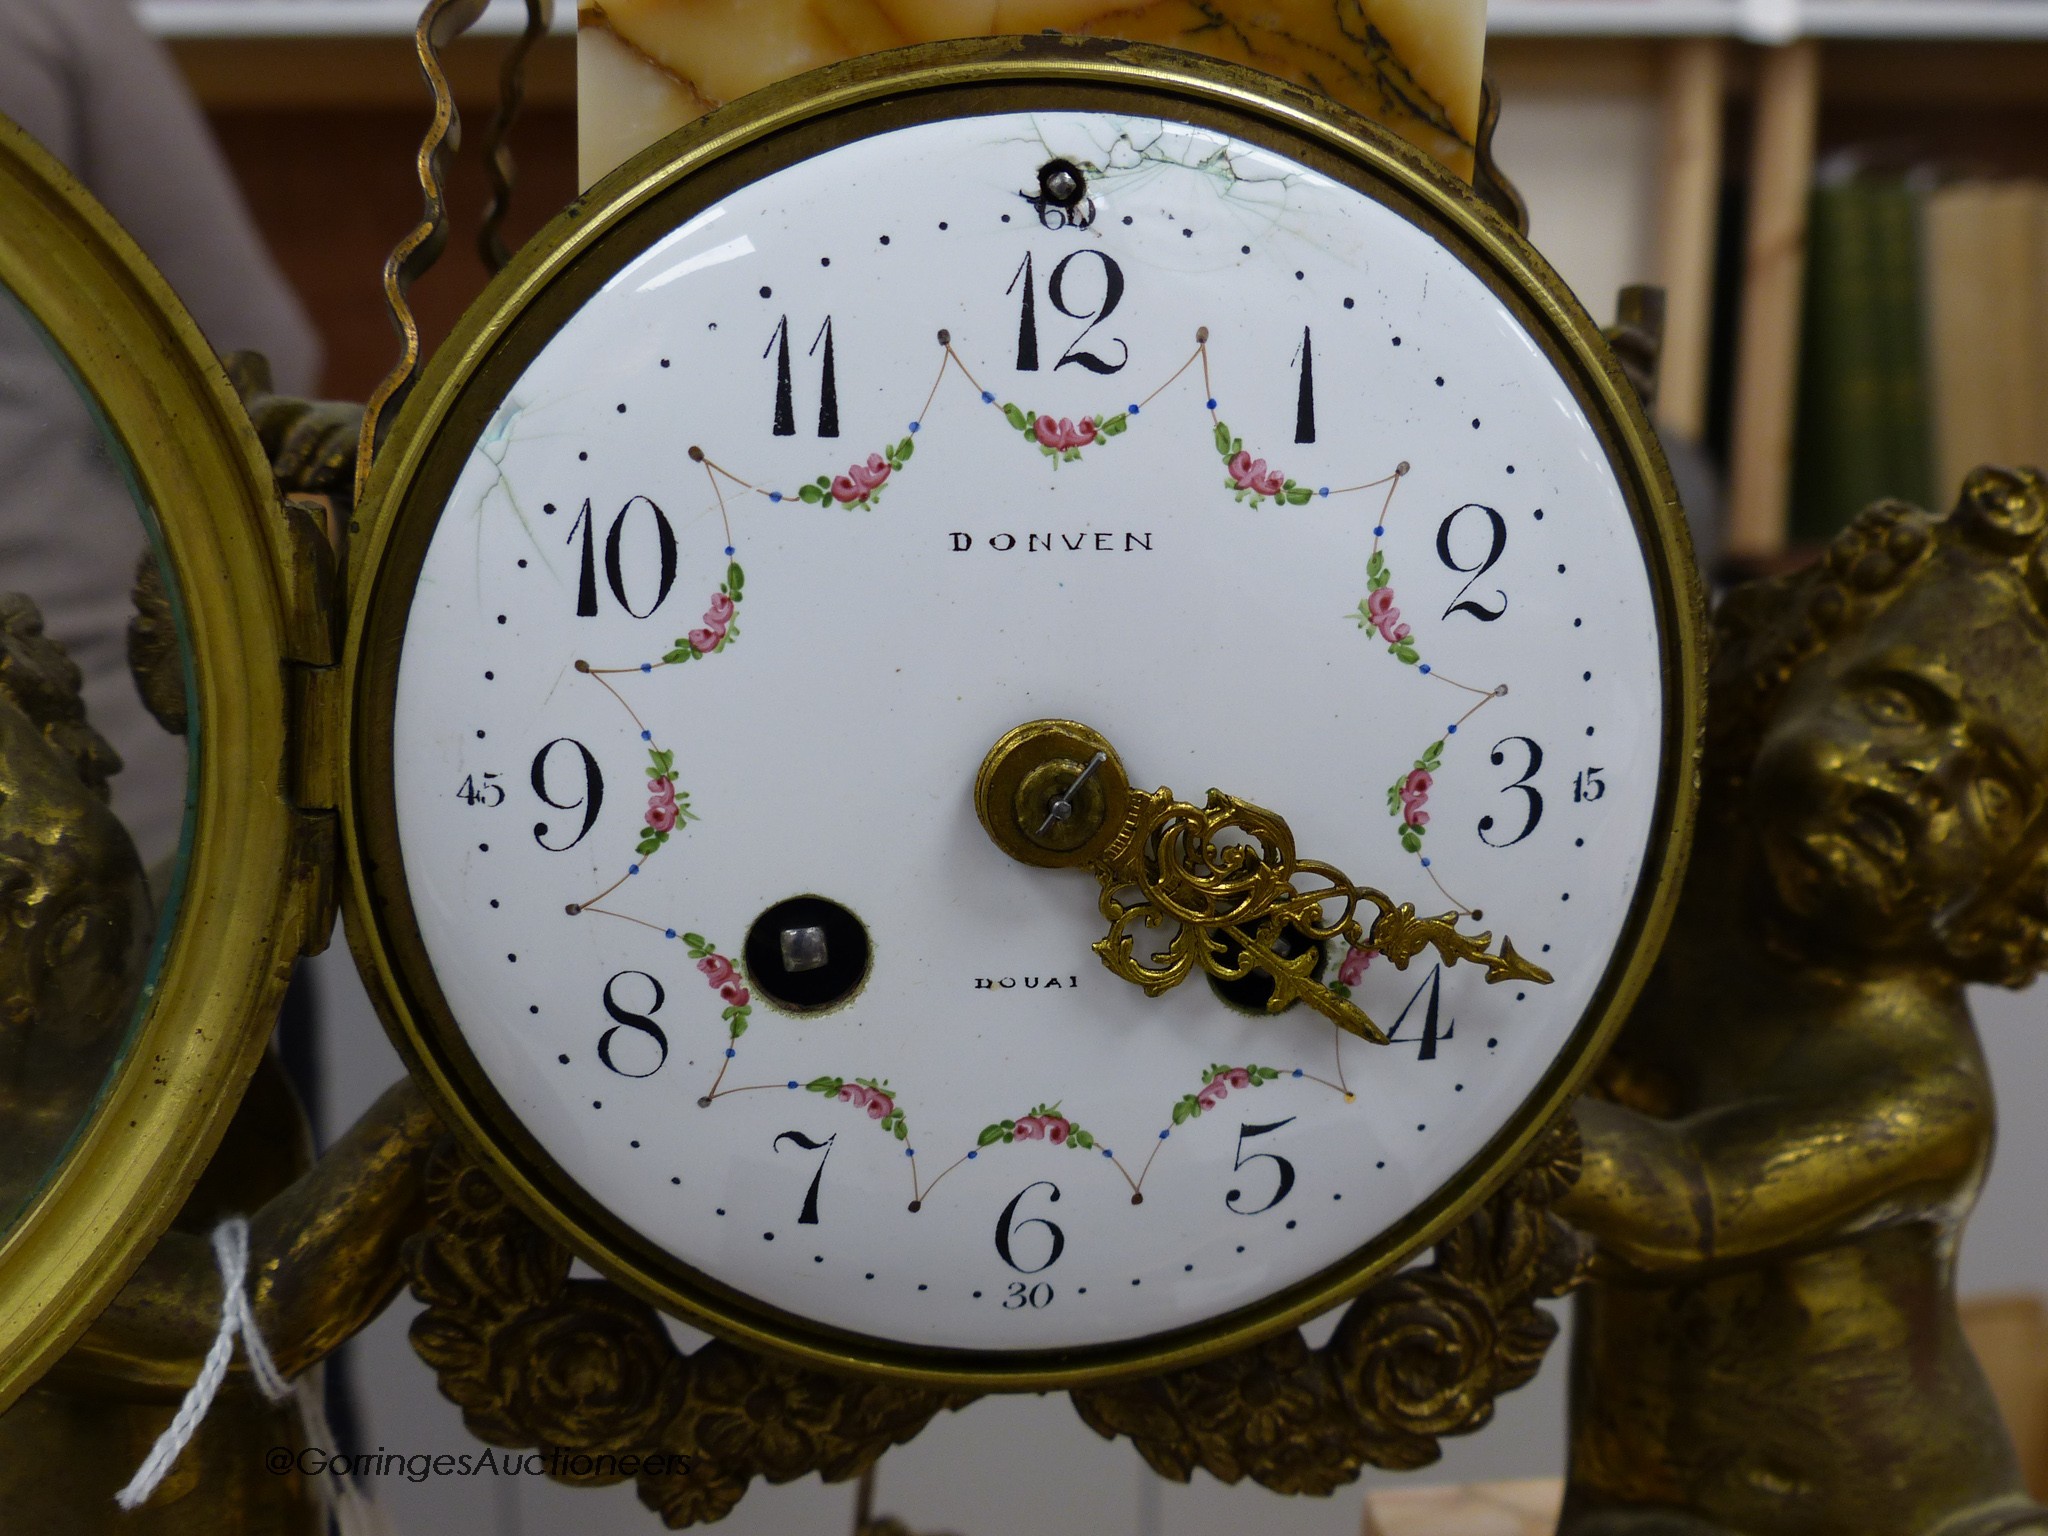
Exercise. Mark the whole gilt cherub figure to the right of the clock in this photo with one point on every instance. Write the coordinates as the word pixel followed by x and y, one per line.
pixel 1797 1119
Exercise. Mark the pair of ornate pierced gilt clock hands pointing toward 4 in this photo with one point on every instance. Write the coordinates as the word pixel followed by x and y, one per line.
pixel 1054 794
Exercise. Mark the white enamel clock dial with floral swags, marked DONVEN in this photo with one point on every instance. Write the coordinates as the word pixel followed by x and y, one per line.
pixel 884 454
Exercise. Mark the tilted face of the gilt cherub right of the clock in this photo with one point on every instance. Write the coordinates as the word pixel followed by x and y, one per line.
pixel 1906 765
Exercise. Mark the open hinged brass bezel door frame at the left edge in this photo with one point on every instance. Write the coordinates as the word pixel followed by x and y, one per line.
pixel 243 916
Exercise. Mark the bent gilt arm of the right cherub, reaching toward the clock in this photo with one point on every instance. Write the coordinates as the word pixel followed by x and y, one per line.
pixel 1779 1172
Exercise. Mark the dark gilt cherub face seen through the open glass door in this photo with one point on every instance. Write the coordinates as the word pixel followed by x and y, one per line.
pixel 75 921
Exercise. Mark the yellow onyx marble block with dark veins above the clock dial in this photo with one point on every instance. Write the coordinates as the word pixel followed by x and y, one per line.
pixel 650 67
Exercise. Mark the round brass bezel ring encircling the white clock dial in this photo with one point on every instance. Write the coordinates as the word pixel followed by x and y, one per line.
pixel 654 194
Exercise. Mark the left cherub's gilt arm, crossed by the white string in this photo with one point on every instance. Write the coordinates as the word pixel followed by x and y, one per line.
pixel 325 1261
